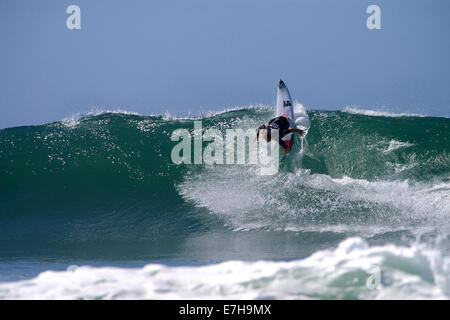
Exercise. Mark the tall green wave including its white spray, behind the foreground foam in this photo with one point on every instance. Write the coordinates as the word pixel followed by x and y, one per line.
pixel 103 186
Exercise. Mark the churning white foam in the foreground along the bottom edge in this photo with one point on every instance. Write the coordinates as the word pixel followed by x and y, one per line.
pixel 343 273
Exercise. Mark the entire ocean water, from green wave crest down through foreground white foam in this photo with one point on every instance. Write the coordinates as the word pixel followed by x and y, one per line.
pixel 92 207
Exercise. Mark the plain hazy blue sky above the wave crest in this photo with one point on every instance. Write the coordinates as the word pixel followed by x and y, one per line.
pixel 200 55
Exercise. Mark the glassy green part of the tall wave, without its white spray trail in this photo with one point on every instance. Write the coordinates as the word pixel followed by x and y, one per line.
pixel 109 178
